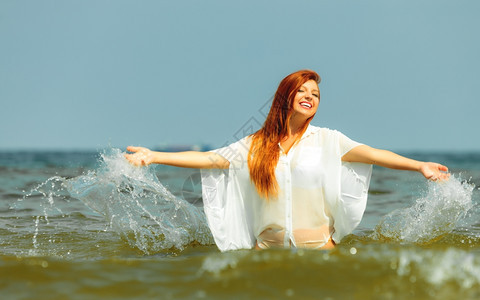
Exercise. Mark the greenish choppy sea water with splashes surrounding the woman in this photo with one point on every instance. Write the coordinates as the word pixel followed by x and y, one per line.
pixel 89 225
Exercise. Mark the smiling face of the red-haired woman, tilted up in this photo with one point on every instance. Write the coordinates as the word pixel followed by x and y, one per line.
pixel 306 100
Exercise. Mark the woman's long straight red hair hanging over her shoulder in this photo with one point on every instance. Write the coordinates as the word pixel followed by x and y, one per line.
pixel 264 151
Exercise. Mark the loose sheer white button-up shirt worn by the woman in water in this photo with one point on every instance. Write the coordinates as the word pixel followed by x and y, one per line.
pixel 317 191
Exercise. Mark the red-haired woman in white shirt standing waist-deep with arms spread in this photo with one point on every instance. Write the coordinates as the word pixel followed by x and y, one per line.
pixel 290 184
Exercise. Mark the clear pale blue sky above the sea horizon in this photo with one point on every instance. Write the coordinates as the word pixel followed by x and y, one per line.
pixel 401 75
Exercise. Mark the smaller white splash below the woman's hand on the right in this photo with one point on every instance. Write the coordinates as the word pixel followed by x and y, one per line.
pixel 431 217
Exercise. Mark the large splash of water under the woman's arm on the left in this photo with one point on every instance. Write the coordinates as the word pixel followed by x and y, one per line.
pixel 138 206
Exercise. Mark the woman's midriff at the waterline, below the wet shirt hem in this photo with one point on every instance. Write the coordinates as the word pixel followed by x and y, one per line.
pixel 304 238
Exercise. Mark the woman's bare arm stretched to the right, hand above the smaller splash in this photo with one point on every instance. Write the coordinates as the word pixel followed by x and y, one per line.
pixel 388 159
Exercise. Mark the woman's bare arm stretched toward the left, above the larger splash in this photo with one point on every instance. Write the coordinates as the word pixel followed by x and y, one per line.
pixel 190 159
